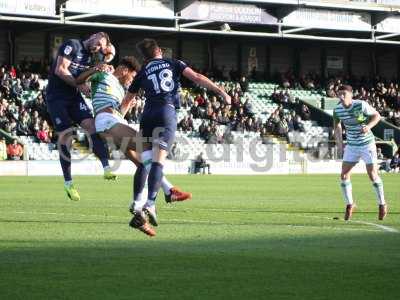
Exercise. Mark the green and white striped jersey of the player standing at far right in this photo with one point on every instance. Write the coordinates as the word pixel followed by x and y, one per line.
pixel 353 119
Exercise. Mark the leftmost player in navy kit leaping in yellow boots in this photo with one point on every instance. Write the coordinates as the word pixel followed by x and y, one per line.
pixel 66 105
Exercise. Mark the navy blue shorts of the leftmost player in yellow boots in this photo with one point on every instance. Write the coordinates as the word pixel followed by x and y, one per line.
pixel 67 111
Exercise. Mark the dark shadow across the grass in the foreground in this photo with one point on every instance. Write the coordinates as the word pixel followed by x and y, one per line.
pixel 286 267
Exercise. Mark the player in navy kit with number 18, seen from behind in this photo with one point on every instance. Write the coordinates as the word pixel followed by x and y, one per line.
pixel 160 80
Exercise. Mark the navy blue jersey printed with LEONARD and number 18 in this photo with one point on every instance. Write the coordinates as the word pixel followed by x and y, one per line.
pixel 160 80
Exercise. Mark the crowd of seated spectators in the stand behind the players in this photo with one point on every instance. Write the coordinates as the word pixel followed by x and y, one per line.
pixel 23 111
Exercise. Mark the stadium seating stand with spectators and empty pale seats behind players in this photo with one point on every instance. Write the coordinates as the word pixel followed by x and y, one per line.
pixel 268 111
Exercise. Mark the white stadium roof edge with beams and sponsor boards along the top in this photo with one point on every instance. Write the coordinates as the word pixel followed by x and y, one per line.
pixel 329 20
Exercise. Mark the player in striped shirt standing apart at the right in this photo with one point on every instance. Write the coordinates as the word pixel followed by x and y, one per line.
pixel 358 118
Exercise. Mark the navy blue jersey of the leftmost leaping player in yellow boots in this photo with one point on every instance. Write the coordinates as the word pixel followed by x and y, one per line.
pixel 80 59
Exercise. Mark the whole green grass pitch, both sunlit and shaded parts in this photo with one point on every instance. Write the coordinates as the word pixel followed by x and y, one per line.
pixel 240 237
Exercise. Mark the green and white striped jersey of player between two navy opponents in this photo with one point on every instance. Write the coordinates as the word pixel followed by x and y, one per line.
pixel 107 91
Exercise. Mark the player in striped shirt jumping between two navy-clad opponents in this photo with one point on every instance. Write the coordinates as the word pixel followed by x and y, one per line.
pixel 108 91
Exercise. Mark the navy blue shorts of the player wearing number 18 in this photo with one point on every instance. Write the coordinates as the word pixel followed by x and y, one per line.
pixel 159 123
